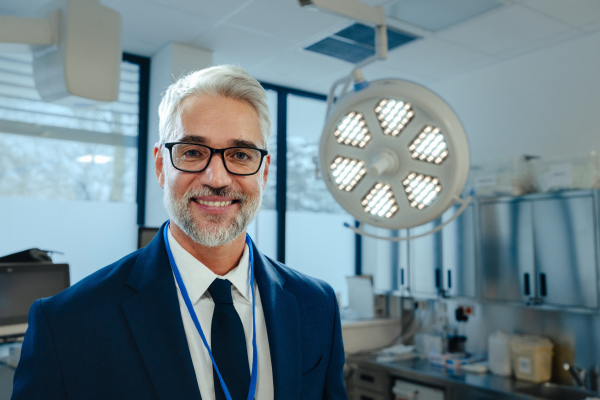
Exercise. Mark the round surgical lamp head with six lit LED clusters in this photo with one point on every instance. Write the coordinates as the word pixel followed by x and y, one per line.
pixel 394 154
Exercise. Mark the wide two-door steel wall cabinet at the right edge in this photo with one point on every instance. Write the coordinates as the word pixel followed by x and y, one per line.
pixel 540 249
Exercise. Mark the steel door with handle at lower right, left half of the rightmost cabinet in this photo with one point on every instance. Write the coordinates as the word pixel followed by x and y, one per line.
pixel 506 250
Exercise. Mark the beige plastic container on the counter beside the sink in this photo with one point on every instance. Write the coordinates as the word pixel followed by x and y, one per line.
pixel 532 358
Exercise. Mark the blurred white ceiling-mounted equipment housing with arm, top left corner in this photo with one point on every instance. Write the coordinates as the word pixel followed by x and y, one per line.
pixel 76 47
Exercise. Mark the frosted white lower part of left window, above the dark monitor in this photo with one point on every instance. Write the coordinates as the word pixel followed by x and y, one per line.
pixel 90 234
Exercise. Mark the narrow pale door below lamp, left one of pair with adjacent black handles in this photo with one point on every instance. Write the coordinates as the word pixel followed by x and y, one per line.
pixel 425 261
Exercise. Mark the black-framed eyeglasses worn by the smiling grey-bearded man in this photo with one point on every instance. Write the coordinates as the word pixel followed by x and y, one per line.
pixel 194 157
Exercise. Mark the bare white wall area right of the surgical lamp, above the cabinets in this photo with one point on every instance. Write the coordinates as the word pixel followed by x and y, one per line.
pixel 545 103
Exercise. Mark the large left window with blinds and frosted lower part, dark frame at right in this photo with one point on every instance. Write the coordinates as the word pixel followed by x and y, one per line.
pixel 69 177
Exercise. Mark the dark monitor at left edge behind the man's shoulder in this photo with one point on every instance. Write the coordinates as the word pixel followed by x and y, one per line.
pixel 23 283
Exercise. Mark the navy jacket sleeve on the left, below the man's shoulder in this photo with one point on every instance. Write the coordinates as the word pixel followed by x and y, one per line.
pixel 38 374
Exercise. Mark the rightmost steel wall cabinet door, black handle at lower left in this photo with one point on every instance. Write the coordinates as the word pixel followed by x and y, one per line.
pixel 565 251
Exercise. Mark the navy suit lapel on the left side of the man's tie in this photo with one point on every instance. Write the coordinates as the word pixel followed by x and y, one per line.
pixel 155 320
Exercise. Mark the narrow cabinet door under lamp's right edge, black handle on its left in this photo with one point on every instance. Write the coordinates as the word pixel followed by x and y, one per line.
pixel 458 253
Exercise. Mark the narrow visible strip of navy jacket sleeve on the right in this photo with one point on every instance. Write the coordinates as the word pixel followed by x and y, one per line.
pixel 334 380
